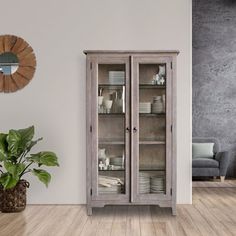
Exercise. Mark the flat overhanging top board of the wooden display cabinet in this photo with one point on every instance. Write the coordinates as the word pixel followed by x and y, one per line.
pixel 131 52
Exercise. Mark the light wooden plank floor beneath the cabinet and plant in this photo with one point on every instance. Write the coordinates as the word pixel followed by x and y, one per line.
pixel 213 213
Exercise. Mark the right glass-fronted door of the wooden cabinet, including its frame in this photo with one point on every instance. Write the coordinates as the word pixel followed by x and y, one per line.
pixel 151 123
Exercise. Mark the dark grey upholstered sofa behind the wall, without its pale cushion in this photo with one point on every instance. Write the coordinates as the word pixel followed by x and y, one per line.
pixel 211 167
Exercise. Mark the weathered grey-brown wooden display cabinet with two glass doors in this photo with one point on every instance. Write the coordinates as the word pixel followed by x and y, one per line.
pixel 131 128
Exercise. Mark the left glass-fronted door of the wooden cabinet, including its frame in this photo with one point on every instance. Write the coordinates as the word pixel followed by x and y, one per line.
pixel 110 166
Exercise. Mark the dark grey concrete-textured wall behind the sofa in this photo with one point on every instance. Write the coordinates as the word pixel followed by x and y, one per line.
pixel 214 73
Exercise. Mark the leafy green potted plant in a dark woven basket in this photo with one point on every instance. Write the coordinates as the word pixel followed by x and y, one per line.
pixel 15 162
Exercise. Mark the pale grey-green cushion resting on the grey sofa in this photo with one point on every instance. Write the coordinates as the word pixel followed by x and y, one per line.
pixel 202 150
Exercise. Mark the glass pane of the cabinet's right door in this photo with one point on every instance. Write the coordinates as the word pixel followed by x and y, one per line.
pixel 152 128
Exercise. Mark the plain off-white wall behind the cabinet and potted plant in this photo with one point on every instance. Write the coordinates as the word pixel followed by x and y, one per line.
pixel 54 101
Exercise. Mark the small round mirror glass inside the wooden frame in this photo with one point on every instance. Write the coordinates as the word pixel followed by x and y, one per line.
pixel 9 63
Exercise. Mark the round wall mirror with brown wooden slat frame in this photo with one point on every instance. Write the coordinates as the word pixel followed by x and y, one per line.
pixel 17 63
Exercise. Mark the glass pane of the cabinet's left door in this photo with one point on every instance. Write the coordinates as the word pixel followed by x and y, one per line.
pixel 111 128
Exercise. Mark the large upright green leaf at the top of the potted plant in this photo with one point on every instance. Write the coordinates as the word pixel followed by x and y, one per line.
pixel 19 140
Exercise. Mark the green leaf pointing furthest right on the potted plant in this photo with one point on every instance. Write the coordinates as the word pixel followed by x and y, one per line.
pixel 44 158
